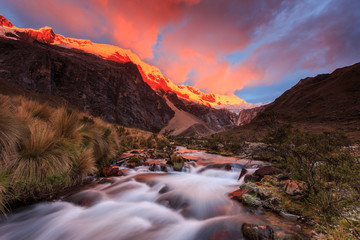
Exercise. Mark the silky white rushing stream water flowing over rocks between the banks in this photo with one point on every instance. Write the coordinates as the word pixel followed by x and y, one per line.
pixel 193 204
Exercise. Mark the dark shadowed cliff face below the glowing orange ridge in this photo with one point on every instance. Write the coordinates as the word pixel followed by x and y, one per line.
pixel 111 90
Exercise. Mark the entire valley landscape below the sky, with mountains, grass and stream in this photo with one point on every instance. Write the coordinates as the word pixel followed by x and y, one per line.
pixel 96 143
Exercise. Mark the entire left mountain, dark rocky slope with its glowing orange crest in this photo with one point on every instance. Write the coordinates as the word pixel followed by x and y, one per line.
pixel 107 81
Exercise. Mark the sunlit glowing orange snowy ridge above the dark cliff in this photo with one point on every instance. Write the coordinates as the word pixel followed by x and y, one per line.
pixel 151 74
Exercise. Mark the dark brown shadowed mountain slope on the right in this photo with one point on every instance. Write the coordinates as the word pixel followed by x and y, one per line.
pixel 327 102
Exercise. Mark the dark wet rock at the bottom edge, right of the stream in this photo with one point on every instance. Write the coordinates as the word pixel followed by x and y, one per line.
pixel 257 232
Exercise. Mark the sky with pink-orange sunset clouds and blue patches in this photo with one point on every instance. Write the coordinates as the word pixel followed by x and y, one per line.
pixel 255 49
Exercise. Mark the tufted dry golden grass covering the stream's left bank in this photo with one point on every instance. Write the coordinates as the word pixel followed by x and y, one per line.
pixel 45 149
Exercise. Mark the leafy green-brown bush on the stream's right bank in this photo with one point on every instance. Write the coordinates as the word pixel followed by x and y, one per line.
pixel 331 173
